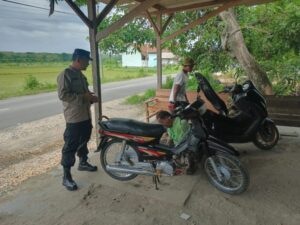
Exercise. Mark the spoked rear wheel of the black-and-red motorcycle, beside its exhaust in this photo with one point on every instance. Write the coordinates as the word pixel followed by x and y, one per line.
pixel 111 155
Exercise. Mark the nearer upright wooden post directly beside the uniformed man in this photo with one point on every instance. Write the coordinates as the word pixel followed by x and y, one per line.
pixel 95 65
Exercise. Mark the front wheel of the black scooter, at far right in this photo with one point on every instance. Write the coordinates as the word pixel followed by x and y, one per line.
pixel 267 136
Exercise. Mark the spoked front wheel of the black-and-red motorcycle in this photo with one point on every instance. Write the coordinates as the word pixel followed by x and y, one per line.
pixel 226 173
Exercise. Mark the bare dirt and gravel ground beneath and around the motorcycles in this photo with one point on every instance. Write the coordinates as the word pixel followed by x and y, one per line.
pixel 31 190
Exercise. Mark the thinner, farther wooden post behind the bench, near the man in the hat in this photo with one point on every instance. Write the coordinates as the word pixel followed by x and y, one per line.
pixel 158 51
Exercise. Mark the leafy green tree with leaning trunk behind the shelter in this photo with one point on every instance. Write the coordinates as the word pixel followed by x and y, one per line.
pixel 269 33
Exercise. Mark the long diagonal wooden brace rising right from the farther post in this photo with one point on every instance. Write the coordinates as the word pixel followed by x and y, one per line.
pixel 203 19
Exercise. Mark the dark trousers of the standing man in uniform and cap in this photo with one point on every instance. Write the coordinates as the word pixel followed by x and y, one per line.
pixel 76 137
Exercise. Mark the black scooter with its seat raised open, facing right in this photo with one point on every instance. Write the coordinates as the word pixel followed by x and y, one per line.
pixel 249 122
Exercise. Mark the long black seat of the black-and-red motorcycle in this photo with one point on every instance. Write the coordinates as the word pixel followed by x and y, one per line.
pixel 133 127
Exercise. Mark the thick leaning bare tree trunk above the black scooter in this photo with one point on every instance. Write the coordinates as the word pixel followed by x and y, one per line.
pixel 234 43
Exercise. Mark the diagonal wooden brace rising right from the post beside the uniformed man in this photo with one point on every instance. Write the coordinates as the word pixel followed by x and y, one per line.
pixel 126 18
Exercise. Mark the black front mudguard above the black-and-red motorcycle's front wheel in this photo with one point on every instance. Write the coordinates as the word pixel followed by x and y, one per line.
pixel 217 145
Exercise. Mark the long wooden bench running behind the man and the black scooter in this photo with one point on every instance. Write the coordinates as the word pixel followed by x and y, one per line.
pixel 284 110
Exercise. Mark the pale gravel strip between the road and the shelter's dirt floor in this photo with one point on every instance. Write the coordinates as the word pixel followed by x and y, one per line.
pixel 33 148
